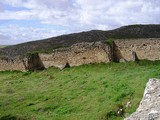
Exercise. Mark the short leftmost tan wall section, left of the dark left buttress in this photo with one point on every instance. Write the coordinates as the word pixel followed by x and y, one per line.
pixel 12 64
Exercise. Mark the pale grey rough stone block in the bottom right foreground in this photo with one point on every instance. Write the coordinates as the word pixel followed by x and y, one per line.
pixel 149 108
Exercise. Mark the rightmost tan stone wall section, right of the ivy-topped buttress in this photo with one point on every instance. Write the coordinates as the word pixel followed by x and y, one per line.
pixel 143 49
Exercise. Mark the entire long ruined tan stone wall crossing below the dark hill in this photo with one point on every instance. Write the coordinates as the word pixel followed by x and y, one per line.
pixel 86 53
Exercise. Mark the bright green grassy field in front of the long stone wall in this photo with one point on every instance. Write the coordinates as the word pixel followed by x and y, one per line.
pixel 87 92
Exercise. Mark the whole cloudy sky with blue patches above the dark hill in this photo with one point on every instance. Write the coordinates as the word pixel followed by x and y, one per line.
pixel 26 20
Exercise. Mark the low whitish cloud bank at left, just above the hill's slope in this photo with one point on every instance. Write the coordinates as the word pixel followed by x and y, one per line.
pixel 12 34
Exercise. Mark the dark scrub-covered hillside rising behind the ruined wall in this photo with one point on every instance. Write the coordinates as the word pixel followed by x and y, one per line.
pixel 131 31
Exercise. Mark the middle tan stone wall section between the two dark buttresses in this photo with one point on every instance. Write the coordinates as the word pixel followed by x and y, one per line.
pixel 78 54
